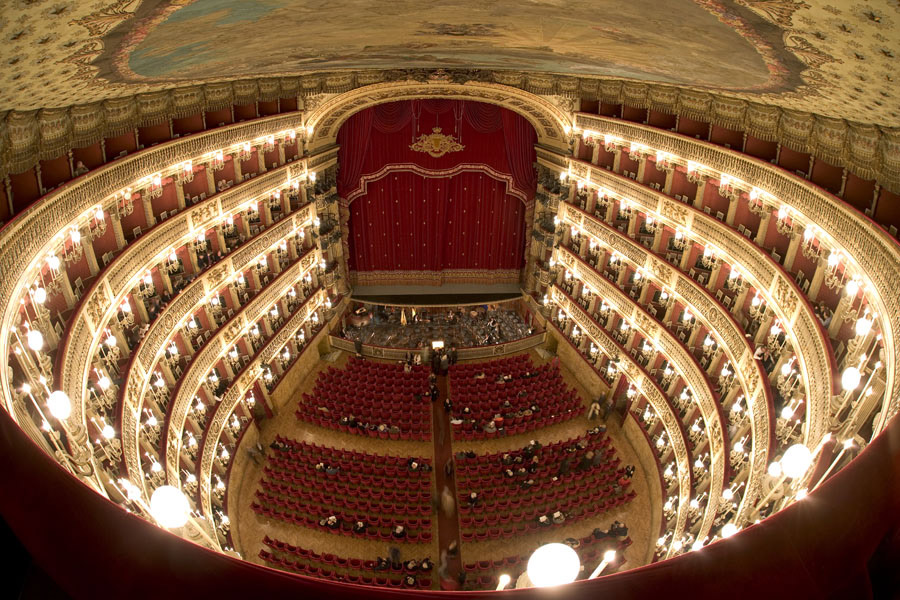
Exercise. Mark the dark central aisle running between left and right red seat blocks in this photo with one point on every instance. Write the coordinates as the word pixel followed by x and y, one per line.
pixel 448 523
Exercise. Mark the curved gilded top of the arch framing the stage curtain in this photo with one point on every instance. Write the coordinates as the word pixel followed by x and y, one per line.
pixel 550 123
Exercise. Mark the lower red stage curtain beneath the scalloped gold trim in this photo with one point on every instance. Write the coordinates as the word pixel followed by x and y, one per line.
pixel 414 223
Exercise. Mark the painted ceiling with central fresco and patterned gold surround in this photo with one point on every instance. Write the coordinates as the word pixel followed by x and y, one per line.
pixel 831 57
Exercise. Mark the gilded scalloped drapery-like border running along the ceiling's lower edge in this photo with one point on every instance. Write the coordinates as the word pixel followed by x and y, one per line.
pixel 869 151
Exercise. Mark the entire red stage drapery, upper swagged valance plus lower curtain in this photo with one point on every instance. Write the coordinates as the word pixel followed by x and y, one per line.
pixel 463 210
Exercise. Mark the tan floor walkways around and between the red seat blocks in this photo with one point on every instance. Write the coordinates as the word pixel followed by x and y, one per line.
pixel 248 528
